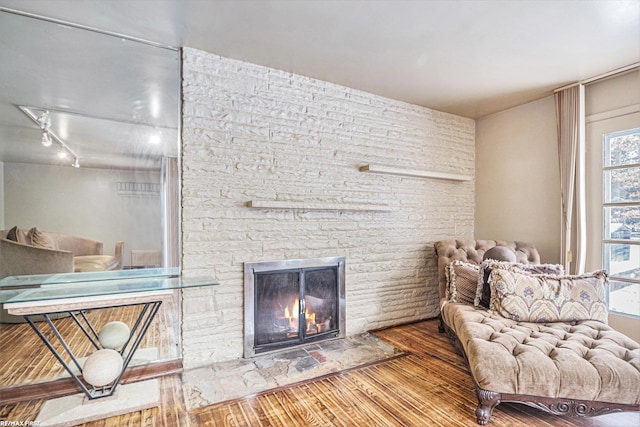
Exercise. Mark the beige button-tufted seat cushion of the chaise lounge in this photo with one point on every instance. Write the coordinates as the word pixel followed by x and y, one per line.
pixel 585 360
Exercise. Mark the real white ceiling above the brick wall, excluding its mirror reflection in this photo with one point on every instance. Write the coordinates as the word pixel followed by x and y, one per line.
pixel 467 57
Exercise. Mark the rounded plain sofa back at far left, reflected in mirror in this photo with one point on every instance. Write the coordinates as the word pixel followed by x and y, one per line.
pixel 18 259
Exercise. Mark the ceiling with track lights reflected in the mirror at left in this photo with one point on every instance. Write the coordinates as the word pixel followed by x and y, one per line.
pixel 113 102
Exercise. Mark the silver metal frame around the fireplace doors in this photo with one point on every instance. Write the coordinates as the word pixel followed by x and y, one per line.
pixel 250 268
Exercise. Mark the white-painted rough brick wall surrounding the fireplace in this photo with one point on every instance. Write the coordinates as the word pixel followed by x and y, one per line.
pixel 255 133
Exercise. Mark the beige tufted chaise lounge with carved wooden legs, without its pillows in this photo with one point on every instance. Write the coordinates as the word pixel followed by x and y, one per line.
pixel 582 368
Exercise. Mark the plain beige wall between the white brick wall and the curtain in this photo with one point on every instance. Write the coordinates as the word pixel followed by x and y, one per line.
pixel 517 177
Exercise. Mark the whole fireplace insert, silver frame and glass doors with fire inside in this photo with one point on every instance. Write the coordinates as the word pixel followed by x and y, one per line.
pixel 289 303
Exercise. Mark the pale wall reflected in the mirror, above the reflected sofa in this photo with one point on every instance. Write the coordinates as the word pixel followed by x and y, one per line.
pixel 83 202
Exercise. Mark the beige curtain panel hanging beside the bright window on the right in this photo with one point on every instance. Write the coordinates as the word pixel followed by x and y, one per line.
pixel 570 118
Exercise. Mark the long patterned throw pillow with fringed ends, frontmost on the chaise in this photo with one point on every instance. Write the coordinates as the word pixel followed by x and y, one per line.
pixel 526 297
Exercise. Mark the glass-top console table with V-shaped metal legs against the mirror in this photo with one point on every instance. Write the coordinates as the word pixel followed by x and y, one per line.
pixel 37 297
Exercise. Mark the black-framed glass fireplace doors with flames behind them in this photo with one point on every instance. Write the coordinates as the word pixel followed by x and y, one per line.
pixel 295 306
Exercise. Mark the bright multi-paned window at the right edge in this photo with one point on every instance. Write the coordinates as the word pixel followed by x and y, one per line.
pixel 621 219
